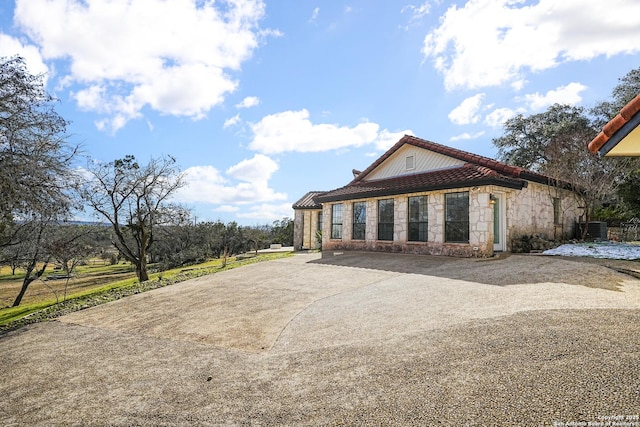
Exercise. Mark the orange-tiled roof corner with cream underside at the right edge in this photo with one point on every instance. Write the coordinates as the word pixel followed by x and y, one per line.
pixel 621 136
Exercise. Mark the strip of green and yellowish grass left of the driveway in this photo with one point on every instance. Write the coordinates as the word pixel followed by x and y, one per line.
pixel 93 284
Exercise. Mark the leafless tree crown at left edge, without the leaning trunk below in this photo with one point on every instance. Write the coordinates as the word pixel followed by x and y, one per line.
pixel 35 158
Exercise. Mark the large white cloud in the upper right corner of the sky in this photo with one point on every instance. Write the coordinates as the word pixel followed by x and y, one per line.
pixel 491 42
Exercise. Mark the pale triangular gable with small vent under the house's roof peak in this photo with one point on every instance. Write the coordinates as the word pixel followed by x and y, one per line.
pixel 408 160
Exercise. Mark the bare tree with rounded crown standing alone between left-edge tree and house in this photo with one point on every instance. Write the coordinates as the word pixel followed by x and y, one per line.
pixel 135 200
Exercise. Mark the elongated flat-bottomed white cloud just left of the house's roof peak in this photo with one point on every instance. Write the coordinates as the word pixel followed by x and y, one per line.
pixel 293 131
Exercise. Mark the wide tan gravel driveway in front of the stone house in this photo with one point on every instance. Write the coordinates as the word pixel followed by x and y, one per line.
pixel 351 339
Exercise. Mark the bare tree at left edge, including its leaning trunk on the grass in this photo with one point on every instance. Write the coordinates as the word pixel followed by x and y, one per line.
pixel 35 172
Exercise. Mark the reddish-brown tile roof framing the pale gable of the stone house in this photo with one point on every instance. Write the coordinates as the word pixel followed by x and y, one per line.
pixel 477 170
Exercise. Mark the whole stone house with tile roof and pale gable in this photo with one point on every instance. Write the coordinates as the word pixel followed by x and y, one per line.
pixel 426 198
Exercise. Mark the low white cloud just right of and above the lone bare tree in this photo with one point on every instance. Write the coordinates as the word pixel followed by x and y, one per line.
pixel 244 183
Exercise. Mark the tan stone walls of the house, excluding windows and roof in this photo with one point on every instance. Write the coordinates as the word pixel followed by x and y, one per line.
pixel 527 211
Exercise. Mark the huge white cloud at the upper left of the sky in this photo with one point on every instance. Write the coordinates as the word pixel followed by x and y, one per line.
pixel 172 56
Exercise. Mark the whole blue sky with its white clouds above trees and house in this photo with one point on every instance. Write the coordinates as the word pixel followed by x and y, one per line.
pixel 262 101
